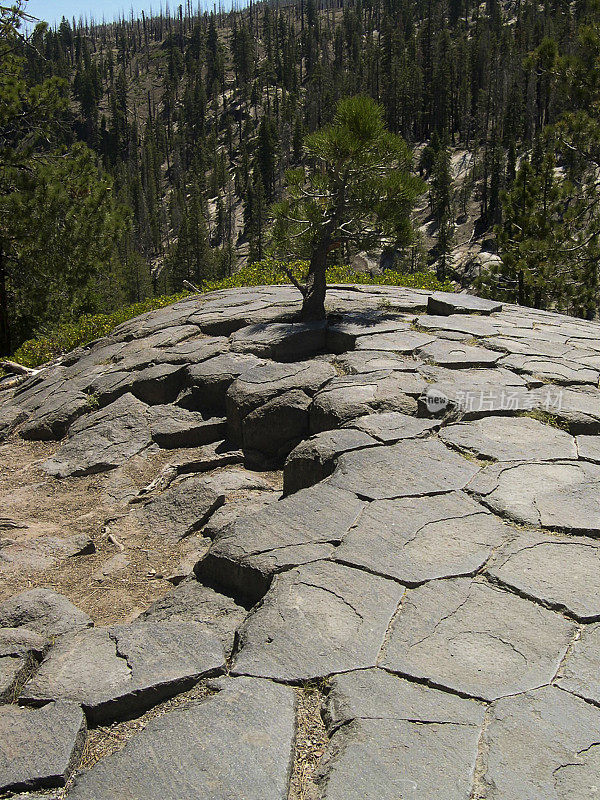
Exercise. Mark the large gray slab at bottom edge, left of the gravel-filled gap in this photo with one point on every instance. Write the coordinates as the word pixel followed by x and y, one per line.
pixel 235 744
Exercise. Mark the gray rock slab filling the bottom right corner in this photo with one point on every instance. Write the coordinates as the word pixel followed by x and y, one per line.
pixel 541 745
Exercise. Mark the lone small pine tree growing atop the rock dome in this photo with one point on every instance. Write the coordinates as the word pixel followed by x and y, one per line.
pixel 357 188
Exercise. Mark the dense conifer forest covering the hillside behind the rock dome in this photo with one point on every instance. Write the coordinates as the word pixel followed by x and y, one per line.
pixel 142 156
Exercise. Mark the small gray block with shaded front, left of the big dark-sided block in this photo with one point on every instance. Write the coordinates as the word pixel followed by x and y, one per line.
pixel 171 426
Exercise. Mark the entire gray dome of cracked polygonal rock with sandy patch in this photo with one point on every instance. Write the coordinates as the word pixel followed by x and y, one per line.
pixel 245 557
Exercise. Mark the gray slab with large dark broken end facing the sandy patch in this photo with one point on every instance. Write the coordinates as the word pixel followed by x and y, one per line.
pixel 296 530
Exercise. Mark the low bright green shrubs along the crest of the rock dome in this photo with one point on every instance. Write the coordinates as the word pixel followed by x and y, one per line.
pixel 45 347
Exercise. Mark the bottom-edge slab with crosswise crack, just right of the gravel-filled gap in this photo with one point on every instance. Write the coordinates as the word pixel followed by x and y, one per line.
pixel 397 740
